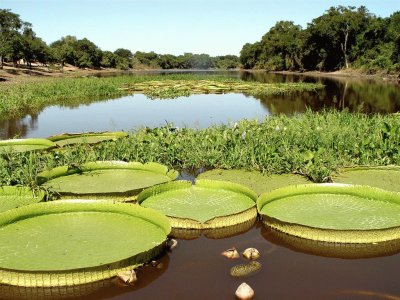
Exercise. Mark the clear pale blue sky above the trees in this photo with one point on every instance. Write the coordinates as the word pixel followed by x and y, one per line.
pixel 216 27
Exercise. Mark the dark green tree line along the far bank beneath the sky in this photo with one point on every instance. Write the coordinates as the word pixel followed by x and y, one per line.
pixel 341 38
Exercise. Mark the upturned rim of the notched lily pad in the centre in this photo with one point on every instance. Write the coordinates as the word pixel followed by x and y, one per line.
pixel 215 222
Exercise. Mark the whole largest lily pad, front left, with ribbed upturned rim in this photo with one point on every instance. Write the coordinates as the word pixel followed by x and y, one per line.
pixel 64 243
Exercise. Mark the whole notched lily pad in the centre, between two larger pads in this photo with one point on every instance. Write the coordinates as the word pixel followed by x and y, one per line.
pixel 208 204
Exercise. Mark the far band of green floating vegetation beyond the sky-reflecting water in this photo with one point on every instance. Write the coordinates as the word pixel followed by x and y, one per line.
pixel 15 100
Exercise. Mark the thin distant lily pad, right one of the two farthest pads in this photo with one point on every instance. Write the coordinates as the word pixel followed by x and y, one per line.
pixel 86 138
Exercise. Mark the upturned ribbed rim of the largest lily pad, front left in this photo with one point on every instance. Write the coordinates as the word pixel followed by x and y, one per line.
pixel 81 275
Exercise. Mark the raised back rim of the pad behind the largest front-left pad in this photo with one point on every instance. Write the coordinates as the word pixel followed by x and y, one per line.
pixel 105 165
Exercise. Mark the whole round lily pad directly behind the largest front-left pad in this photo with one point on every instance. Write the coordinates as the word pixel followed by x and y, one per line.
pixel 108 178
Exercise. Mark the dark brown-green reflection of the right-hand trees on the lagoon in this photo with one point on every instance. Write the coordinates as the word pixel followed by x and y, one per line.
pixel 355 95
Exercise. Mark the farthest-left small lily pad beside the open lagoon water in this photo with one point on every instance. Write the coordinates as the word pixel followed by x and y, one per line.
pixel 24 145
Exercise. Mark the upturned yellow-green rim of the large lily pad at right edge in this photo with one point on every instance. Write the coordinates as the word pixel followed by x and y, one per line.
pixel 328 234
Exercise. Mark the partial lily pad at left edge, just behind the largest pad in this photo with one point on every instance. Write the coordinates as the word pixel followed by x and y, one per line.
pixel 13 197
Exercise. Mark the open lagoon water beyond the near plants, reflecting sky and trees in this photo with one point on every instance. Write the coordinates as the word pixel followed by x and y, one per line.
pixel 199 111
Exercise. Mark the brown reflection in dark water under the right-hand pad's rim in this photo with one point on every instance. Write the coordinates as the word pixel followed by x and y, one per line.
pixel 326 249
